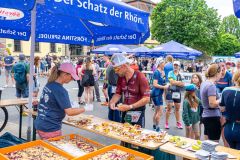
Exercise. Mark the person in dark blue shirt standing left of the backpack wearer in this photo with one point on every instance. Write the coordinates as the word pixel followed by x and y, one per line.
pixel 8 63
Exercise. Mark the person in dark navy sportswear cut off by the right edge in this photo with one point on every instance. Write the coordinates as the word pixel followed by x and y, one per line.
pixel 230 101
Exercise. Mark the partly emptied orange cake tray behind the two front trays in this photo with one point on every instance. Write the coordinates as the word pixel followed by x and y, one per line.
pixel 75 145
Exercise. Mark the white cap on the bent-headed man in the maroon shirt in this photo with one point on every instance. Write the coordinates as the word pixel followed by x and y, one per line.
pixel 119 59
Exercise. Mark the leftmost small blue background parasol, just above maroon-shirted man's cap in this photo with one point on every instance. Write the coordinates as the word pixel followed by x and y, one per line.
pixel 110 49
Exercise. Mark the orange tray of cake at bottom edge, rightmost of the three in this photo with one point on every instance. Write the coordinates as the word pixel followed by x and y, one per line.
pixel 115 151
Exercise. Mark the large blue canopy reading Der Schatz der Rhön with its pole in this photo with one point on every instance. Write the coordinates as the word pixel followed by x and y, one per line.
pixel 75 22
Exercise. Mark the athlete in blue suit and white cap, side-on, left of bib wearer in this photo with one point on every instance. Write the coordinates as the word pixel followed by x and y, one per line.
pixel 157 92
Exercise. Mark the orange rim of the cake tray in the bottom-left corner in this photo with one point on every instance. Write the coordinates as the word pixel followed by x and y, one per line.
pixel 36 143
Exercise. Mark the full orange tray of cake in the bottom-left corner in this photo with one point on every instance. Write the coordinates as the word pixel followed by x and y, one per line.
pixel 35 149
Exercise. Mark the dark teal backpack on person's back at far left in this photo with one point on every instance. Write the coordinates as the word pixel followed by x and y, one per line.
pixel 20 73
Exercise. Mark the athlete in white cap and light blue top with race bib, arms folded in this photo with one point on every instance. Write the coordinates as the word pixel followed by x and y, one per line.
pixel 173 96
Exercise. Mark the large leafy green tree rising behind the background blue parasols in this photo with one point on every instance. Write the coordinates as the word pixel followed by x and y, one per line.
pixel 190 22
